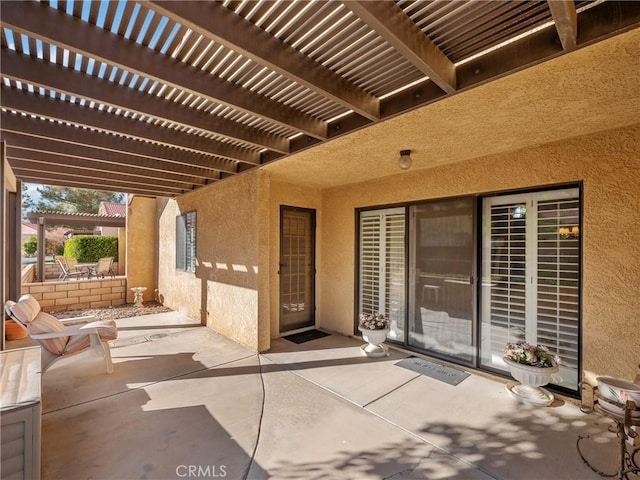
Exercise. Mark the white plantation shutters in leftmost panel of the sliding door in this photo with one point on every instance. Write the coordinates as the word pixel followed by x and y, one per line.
pixel 382 265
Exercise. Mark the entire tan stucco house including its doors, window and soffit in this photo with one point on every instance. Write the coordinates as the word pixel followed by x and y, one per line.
pixel 524 225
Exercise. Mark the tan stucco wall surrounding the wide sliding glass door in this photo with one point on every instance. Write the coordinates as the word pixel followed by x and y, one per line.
pixel 607 163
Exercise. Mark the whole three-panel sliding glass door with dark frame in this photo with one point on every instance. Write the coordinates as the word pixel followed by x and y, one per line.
pixel 425 279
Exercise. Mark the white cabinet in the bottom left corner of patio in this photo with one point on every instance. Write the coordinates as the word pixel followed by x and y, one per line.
pixel 20 410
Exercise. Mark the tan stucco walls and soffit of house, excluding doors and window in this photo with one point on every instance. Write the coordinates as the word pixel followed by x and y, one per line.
pixel 540 126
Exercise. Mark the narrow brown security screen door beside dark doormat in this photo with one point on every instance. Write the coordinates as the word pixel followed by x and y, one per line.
pixel 297 268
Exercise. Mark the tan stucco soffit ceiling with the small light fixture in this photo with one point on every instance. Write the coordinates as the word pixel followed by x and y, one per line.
pixel 585 91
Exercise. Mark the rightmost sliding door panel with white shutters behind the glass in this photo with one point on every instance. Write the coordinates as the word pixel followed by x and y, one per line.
pixel 531 276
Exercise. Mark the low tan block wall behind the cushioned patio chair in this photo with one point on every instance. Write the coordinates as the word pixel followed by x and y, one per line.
pixel 79 294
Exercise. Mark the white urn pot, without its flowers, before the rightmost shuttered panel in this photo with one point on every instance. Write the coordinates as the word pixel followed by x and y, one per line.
pixel 531 379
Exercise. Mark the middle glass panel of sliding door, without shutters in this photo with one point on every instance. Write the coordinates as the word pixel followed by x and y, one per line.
pixel 442 253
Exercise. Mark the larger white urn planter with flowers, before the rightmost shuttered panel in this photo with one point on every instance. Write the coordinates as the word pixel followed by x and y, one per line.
pixel 532 366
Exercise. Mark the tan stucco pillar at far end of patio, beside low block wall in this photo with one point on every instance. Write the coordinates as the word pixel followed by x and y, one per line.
pixel 141 241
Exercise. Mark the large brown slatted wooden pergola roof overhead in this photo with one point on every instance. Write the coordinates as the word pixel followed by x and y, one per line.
pixel 160 98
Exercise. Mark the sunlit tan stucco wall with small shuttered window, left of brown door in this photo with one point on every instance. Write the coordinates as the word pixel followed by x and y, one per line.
pixel 223 292
